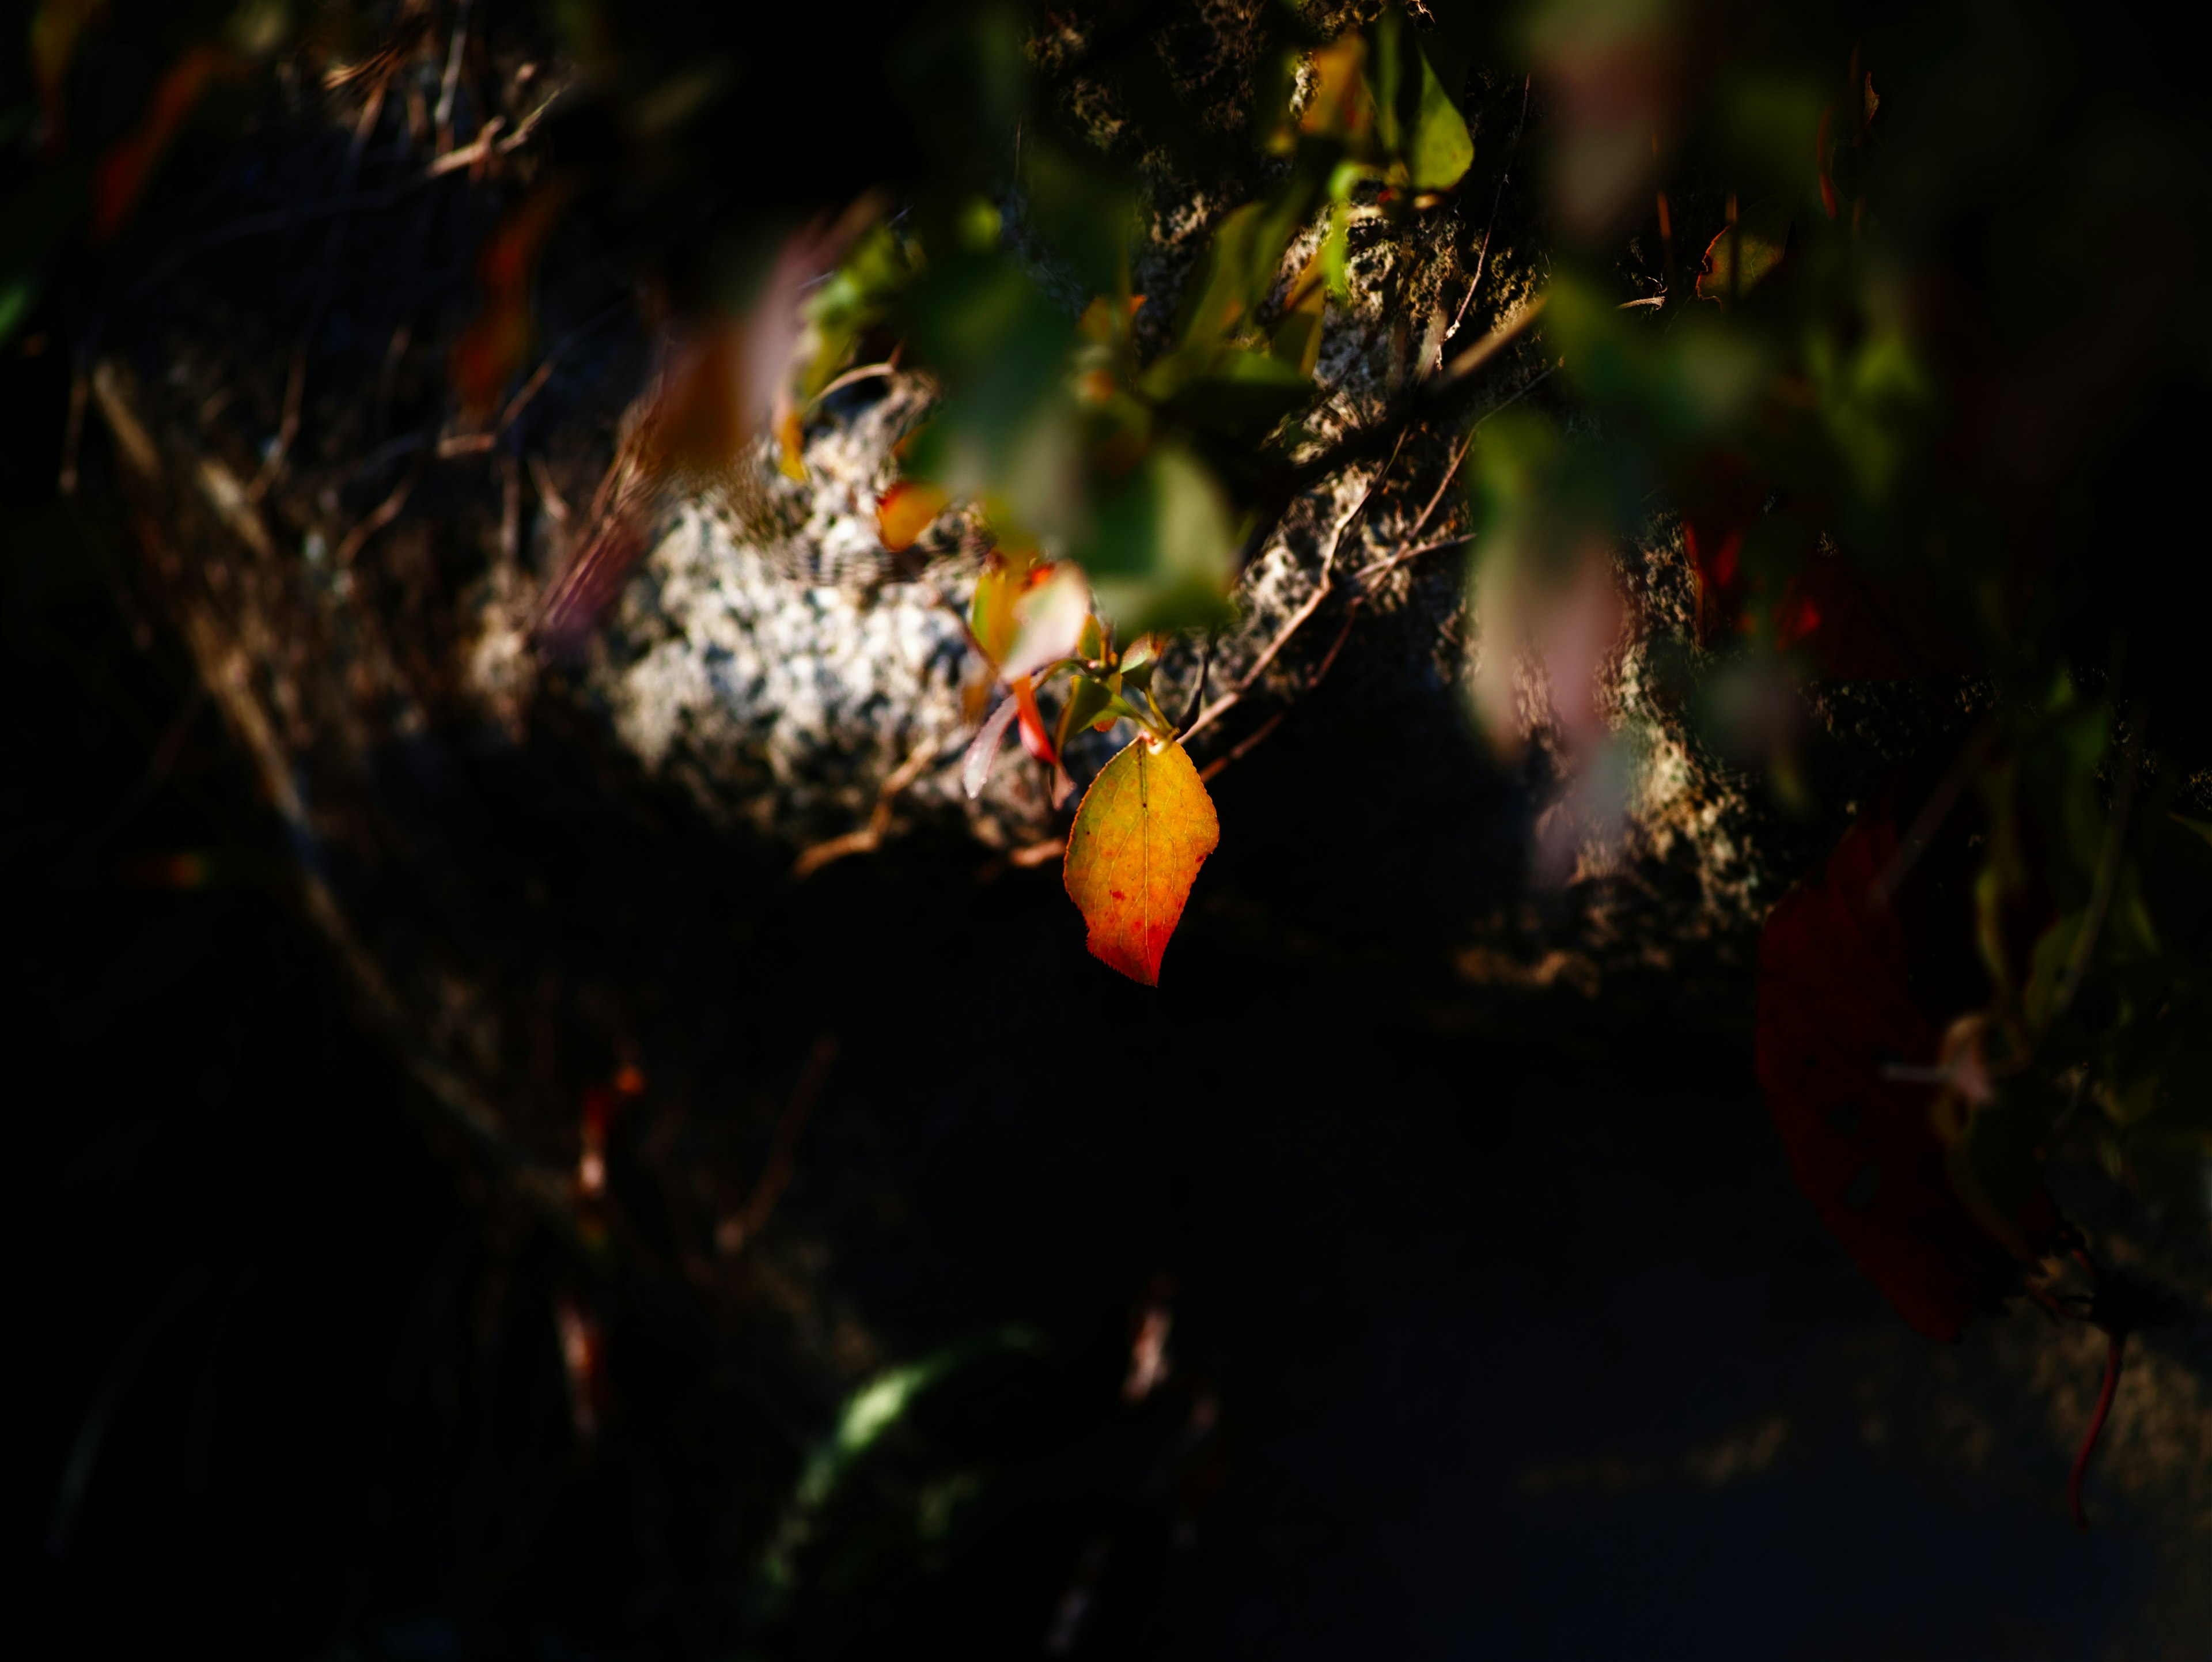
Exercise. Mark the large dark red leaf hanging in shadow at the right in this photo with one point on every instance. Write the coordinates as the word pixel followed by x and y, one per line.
pixel 1853 990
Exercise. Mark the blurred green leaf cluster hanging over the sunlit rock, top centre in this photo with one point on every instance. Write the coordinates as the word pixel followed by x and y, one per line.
pixel 1065 435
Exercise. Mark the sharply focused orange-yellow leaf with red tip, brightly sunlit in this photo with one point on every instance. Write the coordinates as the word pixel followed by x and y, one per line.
pixel 1140 838
